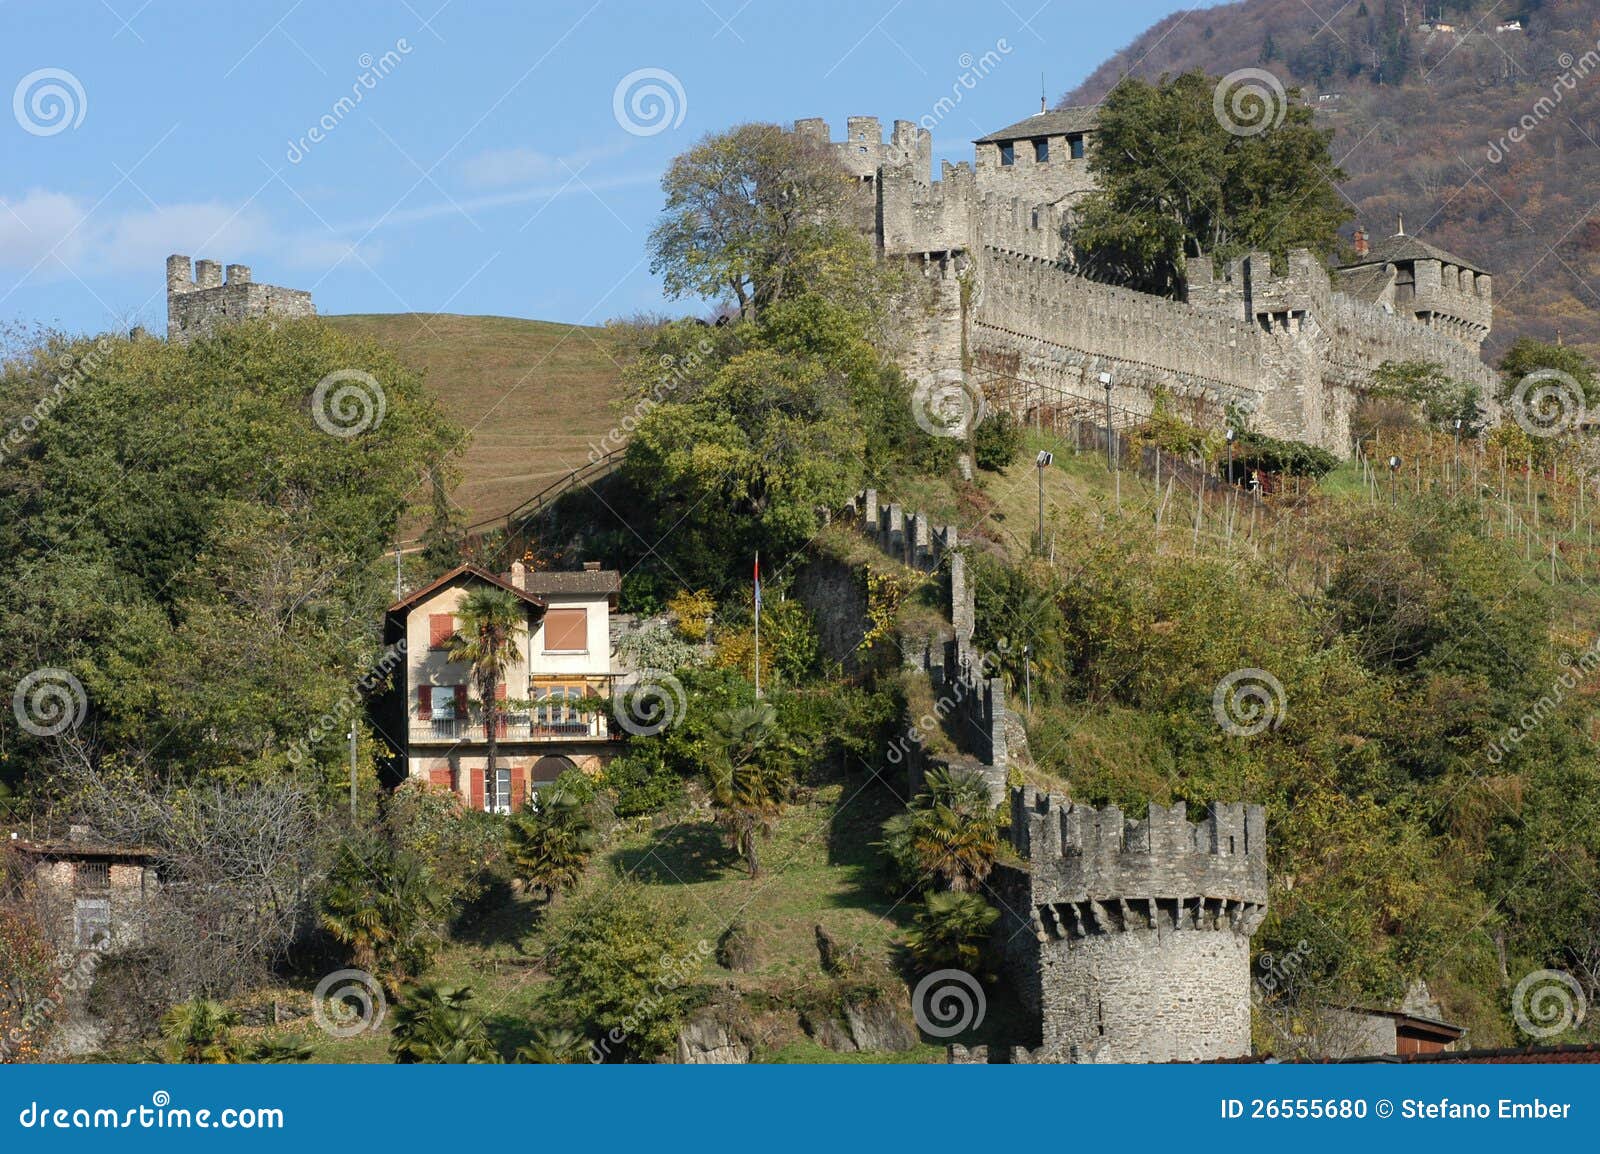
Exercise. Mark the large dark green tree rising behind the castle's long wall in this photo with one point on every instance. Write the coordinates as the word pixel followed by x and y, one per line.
pixel 1182 175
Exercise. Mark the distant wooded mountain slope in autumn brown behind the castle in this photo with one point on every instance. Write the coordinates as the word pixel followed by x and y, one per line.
pixel 1417 114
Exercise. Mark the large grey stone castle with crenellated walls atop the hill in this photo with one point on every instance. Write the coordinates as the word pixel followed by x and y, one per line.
pixel 1002 307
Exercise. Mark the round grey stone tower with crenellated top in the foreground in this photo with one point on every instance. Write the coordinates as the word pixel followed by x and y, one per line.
pixel 1132 939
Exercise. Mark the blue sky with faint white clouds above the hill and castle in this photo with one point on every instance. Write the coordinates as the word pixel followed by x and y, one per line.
pixel 486 169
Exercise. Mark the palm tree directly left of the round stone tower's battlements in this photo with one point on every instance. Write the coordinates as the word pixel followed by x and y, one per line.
pixel 950 833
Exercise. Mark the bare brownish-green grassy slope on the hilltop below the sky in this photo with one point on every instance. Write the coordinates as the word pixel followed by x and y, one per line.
pixel 534 395
